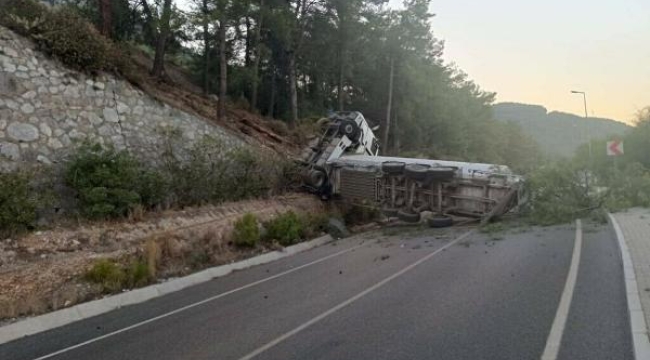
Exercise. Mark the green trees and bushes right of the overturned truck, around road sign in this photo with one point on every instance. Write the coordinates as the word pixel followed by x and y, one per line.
pixel 586 186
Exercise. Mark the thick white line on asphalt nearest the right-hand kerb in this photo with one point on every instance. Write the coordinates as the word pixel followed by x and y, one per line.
pixel 555 337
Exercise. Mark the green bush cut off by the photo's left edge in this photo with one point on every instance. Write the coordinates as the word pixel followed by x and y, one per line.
pixel 18 202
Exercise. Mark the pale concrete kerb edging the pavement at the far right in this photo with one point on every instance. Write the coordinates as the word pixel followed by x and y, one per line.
pixel 638 326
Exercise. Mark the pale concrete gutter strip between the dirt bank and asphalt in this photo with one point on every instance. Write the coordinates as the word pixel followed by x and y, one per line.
pixel 83 311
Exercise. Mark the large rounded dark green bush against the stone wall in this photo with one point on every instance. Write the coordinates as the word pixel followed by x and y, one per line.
pixel 111 183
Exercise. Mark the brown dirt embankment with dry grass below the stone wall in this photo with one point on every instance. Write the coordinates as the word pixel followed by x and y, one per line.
pixel 43 271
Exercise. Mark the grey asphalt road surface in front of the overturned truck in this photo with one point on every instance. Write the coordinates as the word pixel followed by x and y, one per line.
pixel 396 294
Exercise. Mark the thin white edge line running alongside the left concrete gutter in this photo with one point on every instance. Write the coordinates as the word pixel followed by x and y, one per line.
pixel 193 305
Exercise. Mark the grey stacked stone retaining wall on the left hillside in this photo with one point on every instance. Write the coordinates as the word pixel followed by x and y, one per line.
pixel 46 109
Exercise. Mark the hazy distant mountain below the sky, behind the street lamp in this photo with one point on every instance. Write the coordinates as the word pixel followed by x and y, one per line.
pixel 557 133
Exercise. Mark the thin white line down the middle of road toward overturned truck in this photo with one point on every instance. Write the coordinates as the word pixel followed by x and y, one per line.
pixel 347 302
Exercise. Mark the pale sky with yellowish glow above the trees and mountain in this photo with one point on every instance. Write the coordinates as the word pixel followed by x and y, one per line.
pixel 536 52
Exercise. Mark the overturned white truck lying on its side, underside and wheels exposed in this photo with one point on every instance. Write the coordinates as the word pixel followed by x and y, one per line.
pixel 344 163
